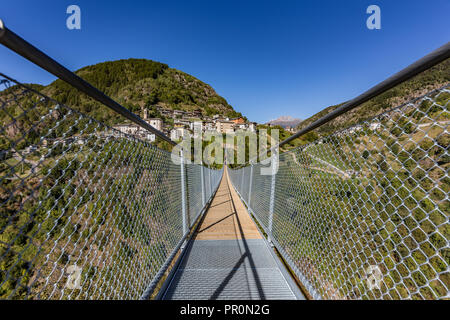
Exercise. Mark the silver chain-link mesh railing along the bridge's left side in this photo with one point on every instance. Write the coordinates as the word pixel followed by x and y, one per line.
pixel 86 212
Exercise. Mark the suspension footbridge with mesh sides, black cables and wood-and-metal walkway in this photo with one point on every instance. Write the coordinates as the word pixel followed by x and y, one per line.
pixel 358 214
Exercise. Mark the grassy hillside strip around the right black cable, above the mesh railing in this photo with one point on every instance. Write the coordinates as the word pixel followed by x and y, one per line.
pixel 426 81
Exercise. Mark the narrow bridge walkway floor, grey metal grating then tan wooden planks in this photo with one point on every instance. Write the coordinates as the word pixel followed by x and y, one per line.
pixel 228 258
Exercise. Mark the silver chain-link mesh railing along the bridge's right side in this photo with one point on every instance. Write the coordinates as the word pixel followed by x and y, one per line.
pixel 364 213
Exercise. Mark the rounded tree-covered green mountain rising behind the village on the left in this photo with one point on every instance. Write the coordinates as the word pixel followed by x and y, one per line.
pixel 139 84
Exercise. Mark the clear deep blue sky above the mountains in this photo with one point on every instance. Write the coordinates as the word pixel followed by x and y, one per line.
pixel 267 58
